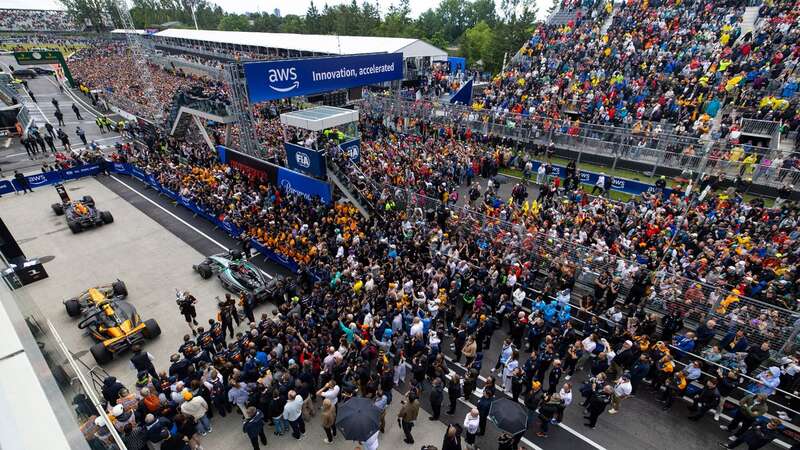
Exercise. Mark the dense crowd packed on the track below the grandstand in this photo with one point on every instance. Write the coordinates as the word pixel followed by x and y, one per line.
pixel 394 301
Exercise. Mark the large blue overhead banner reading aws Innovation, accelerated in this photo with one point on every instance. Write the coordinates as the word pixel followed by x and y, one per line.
pixel 271 80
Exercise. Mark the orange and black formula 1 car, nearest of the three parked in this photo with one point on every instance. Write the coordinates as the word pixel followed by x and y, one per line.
pixel 110 320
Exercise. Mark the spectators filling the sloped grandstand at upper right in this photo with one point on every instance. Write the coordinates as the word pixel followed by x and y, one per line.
pixel 661 72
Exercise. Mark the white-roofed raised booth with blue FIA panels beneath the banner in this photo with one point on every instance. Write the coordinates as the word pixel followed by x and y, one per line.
pixel 309 134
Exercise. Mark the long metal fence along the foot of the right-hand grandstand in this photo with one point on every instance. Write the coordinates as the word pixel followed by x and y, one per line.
pixel 648 152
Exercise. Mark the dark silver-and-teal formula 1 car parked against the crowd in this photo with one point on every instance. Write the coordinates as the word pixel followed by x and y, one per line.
pixel 238 275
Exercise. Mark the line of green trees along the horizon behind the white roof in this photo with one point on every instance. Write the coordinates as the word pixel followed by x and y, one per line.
pixel 470 28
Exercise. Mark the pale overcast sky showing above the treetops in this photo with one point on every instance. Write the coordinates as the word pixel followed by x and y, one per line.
pixel 298 7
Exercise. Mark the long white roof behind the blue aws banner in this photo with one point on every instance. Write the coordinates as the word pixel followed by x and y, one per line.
pixel 316 43
